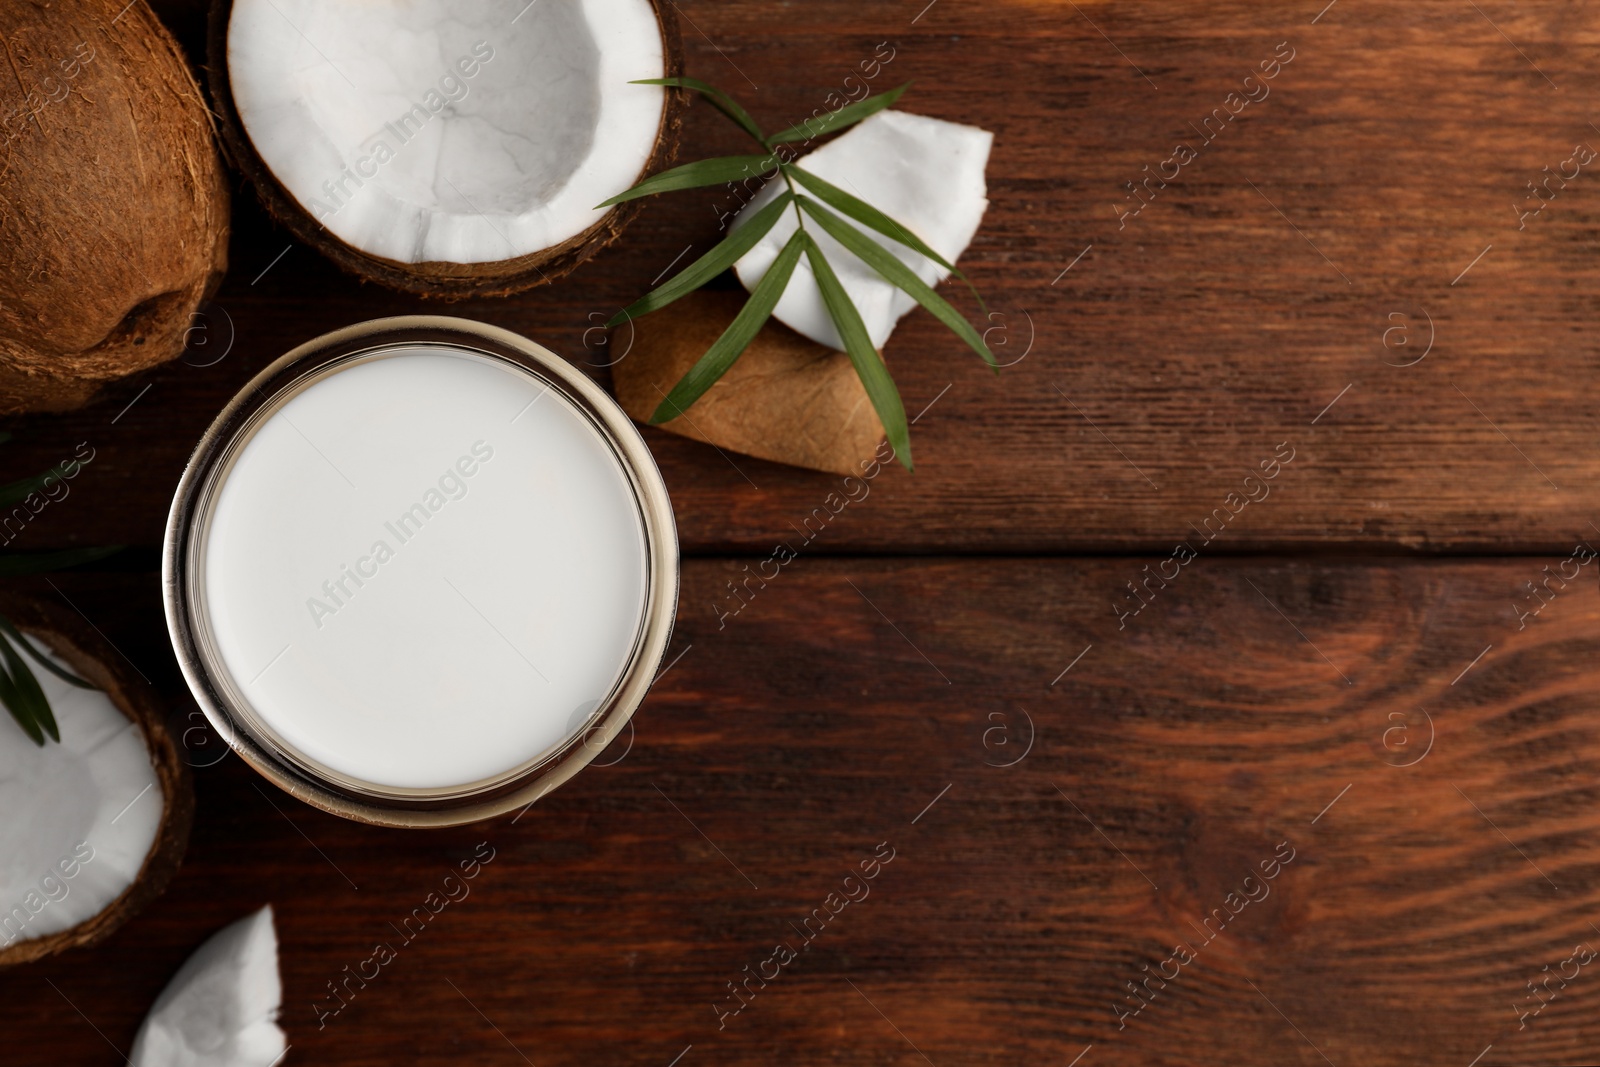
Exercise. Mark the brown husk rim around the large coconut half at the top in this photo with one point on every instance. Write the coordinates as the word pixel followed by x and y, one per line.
pixel 438 279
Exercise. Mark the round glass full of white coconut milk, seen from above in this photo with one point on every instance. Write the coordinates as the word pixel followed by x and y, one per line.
pixel 420 572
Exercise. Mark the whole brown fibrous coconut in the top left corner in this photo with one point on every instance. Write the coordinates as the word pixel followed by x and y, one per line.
pixel 113 202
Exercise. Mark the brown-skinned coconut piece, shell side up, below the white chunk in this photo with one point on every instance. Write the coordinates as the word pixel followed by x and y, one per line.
pixel 786 399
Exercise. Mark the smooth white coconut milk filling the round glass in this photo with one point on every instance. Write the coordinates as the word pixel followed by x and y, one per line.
pixel 425 570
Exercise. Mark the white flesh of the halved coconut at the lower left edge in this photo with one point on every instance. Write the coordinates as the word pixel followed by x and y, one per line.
pixel 81 817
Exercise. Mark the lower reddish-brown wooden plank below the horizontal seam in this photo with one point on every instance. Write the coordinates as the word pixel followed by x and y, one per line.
pixel 865 701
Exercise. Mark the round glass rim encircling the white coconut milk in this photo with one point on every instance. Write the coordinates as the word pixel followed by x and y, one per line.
pixel 217 690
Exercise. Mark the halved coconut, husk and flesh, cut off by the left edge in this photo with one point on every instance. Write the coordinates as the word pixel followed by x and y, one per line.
pixel 97 825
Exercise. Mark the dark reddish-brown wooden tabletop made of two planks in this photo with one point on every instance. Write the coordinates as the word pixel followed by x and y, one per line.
pixel 1345 684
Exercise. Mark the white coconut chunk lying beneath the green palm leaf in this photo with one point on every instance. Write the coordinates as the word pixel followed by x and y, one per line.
pixel 924 174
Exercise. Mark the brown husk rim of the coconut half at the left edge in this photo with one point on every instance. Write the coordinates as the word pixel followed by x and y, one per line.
pixel 94 660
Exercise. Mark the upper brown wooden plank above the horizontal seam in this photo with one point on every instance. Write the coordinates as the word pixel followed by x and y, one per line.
pixel 1222 321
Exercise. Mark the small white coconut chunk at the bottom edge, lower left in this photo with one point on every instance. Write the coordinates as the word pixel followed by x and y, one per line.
pixel 222 1009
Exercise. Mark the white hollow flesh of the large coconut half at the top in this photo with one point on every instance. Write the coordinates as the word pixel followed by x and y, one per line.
pixel 449 130
